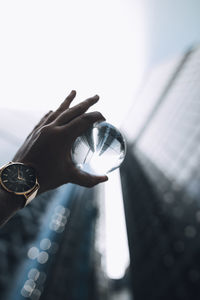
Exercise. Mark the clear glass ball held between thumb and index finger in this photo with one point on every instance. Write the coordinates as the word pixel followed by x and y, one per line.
pixel 100 150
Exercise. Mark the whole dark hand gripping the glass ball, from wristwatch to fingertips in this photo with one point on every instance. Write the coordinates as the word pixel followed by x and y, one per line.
pixel 48 147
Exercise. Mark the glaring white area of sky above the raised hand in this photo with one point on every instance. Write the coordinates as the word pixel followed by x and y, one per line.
pixel 50 47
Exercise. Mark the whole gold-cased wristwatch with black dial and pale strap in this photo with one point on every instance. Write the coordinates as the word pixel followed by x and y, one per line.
pixel 19 179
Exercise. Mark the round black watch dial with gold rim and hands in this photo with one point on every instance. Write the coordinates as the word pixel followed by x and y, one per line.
pixel 18 178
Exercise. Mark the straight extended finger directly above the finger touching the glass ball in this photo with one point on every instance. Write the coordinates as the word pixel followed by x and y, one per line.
pixel 76 111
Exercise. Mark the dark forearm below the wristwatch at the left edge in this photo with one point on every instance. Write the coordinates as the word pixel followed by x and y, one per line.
pixel 9 205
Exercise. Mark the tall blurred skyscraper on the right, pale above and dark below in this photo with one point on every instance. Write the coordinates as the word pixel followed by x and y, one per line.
pixel 160 180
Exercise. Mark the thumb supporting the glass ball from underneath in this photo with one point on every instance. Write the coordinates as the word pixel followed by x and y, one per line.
pixel 87 180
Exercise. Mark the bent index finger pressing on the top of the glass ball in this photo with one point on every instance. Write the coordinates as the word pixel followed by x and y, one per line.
pixel 80 124
